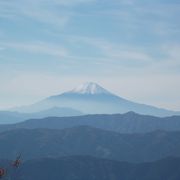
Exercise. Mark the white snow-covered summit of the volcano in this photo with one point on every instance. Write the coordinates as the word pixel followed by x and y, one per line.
pixel 89 88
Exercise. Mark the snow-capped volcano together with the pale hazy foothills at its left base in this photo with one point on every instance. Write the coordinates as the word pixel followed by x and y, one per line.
pixel 88 98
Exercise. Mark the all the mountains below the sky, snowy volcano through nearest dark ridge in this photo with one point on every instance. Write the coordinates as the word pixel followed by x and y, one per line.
pixel 80 134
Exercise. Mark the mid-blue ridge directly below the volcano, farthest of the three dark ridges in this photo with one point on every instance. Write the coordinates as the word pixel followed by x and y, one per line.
pixel 124 123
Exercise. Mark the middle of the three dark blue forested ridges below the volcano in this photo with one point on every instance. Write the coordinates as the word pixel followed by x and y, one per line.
pixel 84 140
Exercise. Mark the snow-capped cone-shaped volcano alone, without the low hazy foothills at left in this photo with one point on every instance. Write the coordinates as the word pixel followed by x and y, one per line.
pixel 90 98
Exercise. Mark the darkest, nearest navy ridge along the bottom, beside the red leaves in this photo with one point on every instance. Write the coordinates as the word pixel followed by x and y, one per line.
pixel 91 168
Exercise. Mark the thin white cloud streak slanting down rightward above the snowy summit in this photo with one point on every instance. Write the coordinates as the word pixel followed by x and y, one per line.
pixel 124 54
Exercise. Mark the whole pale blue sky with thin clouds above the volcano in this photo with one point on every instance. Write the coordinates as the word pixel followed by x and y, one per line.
pixel 130 47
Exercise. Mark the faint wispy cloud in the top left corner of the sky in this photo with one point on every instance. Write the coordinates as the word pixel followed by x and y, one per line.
pixel 44 11
